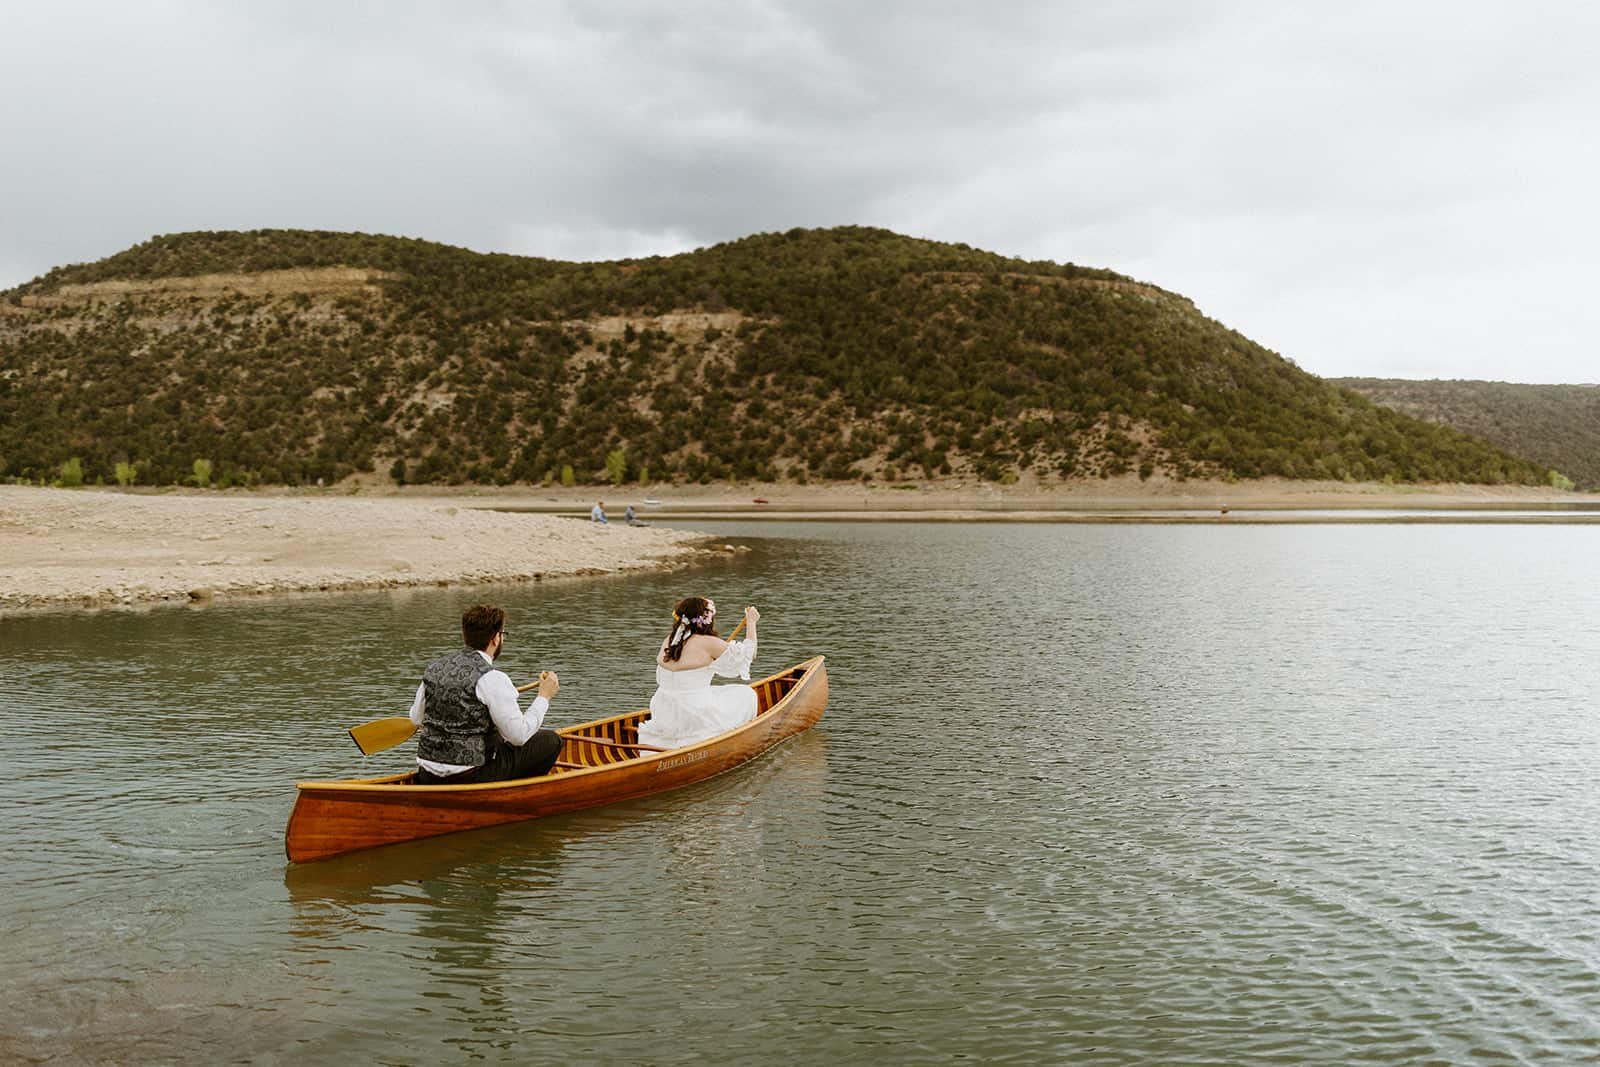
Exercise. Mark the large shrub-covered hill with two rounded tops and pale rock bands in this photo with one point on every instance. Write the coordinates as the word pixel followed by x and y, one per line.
pixel 292 358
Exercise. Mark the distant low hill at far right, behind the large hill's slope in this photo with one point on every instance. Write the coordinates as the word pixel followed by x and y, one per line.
pixel 1556 426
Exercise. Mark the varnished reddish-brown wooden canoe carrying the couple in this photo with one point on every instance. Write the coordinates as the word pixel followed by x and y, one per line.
pixel 343 817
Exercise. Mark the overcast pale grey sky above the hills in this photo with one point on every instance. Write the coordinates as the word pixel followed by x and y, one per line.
pixel 1391 190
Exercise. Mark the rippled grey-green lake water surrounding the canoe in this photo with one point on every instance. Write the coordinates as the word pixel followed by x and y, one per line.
pixel 1110 794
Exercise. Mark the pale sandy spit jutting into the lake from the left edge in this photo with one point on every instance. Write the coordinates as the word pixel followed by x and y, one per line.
pixel 78 548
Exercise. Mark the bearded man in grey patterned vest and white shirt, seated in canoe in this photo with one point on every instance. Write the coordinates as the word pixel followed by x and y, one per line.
pixel 471 725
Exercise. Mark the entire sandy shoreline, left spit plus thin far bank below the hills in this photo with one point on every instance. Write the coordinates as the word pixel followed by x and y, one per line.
pixel 95 548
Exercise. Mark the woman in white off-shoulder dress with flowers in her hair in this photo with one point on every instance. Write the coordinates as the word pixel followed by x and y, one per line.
pixel 687 708
